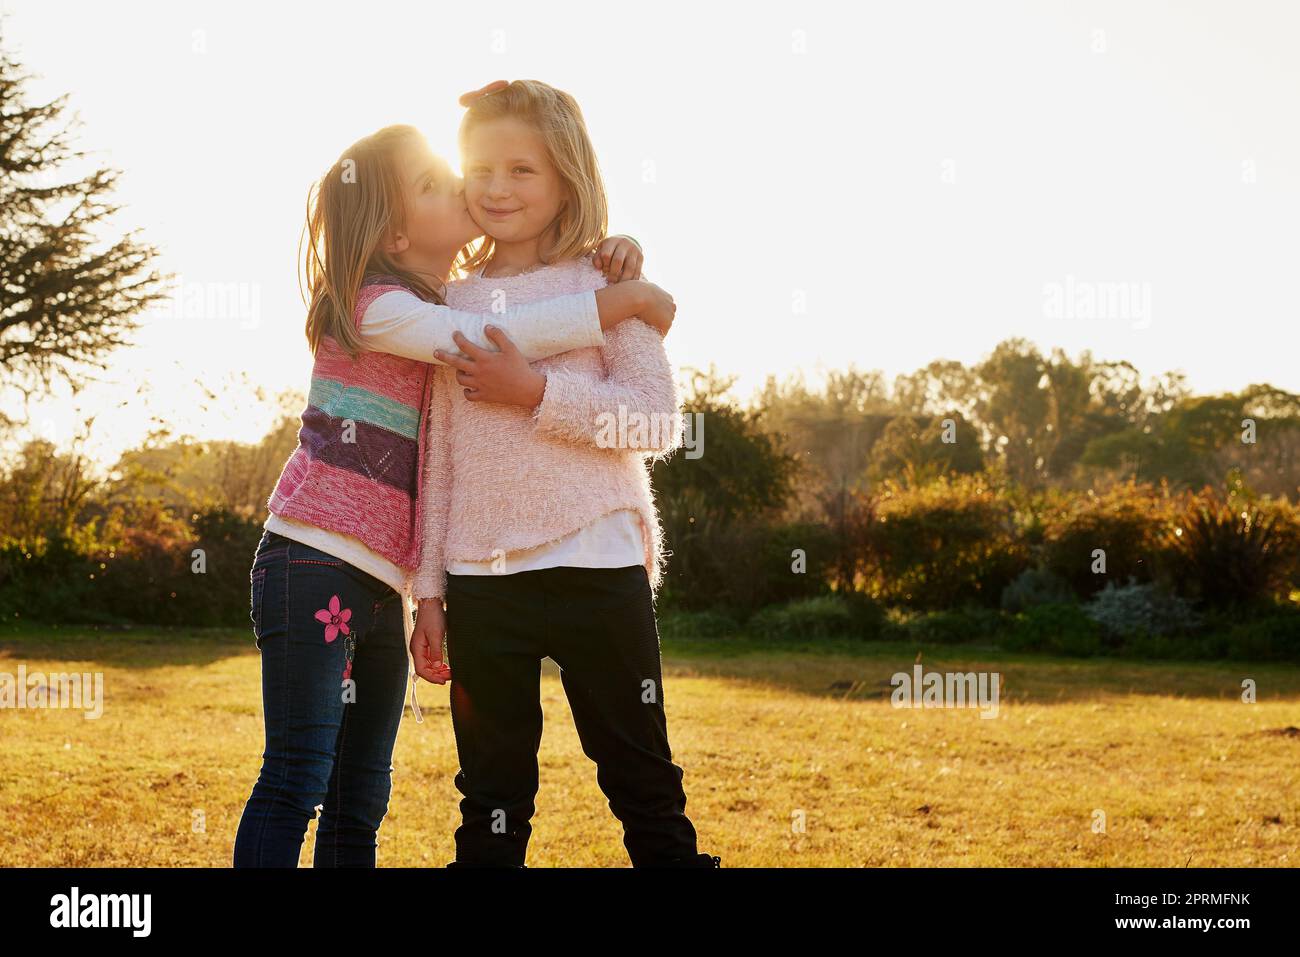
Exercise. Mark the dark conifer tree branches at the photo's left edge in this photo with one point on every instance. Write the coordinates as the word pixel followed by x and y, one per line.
pixel 67 298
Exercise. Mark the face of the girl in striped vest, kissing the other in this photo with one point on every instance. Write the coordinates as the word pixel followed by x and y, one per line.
pixel 437 220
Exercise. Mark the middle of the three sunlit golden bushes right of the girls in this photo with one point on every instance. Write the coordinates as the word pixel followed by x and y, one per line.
pixel 1128 523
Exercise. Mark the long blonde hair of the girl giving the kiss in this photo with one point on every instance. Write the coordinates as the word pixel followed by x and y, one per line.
pixel 350 213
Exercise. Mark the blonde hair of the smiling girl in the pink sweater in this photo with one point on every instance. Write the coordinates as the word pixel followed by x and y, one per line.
pixel 583 220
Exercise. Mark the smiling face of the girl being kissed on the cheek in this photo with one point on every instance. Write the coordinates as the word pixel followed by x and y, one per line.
pixel 513 188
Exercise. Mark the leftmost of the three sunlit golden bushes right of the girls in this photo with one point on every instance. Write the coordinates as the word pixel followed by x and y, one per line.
pixel 944 544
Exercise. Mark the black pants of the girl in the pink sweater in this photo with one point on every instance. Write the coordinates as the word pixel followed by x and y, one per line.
pixel 599 626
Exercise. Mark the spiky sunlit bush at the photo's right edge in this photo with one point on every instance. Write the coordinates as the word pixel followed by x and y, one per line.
pixel 1234 555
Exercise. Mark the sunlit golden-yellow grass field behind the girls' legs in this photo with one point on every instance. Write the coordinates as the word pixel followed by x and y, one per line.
pixel 1181 769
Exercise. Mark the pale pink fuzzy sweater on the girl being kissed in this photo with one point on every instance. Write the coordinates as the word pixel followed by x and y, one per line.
pixel 499 479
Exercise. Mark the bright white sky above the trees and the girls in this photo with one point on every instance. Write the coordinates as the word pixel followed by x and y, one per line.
pixel 818 184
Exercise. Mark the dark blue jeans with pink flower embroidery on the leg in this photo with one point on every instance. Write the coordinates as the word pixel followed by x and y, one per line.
pixel 333 683
